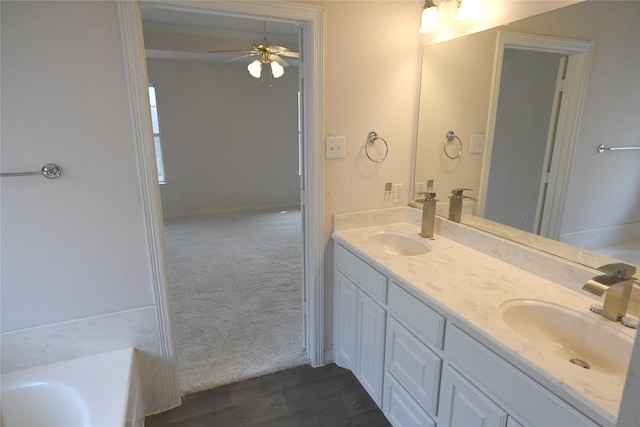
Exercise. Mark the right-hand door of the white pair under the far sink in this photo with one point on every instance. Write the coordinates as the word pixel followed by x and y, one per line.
pixel 370 348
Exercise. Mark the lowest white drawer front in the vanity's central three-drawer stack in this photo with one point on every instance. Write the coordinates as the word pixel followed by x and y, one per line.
pixel 400 408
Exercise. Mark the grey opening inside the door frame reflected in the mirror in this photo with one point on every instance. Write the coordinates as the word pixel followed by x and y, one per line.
pixel 530 95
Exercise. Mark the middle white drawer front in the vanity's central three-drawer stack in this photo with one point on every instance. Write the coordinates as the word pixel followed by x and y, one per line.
pixel 415 366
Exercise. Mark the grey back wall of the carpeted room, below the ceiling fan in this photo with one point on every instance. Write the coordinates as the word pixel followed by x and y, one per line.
pixel 230 142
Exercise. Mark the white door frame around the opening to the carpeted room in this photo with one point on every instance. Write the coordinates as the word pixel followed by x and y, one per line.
pixel 310 19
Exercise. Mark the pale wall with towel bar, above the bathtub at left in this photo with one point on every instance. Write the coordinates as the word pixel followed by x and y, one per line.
pixel 76 277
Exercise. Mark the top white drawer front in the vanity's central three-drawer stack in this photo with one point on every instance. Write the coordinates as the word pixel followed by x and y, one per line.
pixel 425 323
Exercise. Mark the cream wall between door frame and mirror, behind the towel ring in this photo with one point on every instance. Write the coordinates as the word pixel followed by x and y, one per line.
pixel 370 84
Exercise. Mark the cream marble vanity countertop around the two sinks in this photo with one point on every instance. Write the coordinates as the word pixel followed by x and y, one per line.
pixel 468 286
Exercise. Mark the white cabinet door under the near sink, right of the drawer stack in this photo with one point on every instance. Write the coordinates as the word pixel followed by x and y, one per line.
pixel 463 405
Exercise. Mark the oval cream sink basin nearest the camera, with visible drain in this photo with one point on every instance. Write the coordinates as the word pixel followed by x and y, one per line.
pixel 576 337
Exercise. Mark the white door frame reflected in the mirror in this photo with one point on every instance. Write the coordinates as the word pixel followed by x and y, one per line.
pixel 579 53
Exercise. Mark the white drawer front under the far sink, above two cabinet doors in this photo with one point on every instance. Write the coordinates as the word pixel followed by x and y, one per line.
pixel 362 274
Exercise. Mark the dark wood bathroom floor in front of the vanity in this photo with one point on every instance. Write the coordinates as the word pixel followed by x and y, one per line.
pixel 303 396
